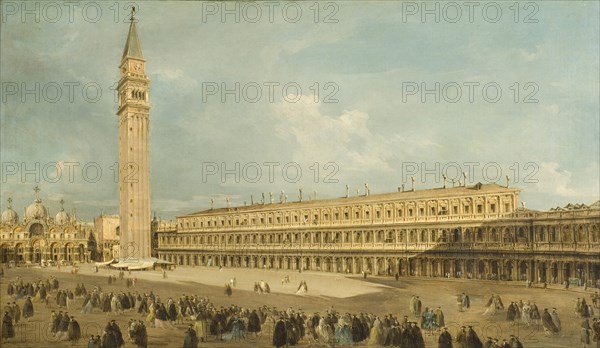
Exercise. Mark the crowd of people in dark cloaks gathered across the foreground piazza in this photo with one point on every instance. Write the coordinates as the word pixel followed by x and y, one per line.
pixel 204 321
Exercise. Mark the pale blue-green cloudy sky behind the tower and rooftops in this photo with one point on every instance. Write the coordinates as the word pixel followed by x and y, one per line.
pixel 270 97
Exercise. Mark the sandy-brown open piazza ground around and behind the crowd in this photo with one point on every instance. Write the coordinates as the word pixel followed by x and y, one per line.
pixel 378 295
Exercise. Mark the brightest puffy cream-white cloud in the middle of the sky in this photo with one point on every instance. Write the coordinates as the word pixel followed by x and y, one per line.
pixel 347 138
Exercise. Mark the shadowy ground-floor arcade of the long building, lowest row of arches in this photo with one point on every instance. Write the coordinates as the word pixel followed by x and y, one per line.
pixel 491 267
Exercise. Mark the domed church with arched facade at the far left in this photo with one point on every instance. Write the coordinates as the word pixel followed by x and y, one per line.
pixel 39 237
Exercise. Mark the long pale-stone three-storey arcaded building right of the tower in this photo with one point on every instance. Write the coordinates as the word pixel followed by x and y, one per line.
pixel 473 232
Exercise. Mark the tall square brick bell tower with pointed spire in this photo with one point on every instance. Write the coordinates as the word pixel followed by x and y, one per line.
pixel 134 156
